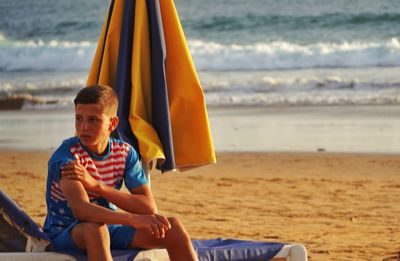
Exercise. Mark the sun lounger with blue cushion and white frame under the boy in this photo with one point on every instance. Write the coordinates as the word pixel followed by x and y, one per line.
pixel 22 239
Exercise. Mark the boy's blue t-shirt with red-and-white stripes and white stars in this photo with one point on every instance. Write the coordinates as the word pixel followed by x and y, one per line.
pixel 119 165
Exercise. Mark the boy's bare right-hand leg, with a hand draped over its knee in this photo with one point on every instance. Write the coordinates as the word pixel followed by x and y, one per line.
pixel 176 241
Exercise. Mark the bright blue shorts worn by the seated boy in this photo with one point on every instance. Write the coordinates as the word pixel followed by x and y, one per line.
pixel 120 237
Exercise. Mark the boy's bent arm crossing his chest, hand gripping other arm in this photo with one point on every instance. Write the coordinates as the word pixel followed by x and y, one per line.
pixel 140 200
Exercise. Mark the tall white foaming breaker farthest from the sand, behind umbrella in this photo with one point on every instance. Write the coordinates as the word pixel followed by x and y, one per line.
pixel 209 56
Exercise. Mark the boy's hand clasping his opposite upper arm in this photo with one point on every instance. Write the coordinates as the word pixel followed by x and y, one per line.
pixel 76 171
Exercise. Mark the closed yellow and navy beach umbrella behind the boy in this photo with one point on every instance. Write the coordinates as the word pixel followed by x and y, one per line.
pixel 142 53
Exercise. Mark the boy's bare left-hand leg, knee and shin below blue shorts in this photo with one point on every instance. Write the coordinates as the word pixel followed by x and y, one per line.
pixel 95 238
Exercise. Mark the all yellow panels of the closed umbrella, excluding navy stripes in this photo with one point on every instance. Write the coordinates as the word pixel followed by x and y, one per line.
pixel 192 142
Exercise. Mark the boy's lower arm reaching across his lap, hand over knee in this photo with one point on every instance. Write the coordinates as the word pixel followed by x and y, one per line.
pixel 84 210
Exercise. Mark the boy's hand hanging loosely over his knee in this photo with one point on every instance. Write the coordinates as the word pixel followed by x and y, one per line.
pixel 157 225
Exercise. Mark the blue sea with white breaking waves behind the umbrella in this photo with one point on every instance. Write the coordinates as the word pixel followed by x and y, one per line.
pixel 247 52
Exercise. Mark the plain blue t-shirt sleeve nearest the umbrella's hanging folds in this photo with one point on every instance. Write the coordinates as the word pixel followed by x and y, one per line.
pixel 134 175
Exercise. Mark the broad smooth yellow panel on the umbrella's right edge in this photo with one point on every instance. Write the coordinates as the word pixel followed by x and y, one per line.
pixel 192 139
